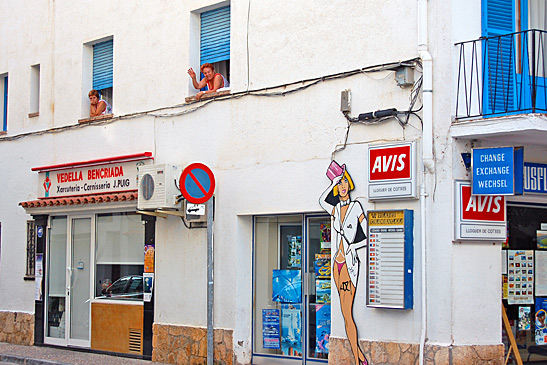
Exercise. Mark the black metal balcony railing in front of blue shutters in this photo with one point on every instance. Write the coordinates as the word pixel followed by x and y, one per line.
pixel 502 75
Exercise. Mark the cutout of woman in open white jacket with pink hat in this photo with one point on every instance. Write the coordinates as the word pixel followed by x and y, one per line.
pixel 348 235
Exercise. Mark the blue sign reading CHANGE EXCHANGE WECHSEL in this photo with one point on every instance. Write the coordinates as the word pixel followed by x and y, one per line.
pixel 497 171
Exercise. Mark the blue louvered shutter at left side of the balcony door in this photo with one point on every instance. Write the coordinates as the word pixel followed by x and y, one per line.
pixel 498 18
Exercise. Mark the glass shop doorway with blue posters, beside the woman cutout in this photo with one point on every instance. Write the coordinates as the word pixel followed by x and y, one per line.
pixel 292 289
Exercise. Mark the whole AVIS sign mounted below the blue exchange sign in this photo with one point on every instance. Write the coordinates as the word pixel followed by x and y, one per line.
pixel 478 218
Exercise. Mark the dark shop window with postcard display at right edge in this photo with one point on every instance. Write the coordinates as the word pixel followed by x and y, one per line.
pixel 524 278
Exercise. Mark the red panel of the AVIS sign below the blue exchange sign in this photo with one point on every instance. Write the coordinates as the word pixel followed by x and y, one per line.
pixel 482 208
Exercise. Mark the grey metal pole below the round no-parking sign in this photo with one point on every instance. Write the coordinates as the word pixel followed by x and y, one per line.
pixel 210 282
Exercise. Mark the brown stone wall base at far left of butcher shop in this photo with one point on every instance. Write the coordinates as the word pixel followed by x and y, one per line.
pixel 17 328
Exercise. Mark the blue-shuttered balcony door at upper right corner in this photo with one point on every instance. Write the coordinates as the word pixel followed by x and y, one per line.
pixel 514 62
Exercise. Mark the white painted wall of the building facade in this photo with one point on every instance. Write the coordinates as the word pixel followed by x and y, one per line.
pixel 269 154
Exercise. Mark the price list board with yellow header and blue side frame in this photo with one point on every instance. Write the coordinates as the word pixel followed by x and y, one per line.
pixel 390 259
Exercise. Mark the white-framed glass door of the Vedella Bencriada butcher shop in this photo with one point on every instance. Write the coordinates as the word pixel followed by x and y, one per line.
pixel 69 281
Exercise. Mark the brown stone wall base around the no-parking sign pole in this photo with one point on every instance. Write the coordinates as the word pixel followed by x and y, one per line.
pixel 188 345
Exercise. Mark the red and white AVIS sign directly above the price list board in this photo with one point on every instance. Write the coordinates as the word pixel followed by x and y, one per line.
pixel 392 171
